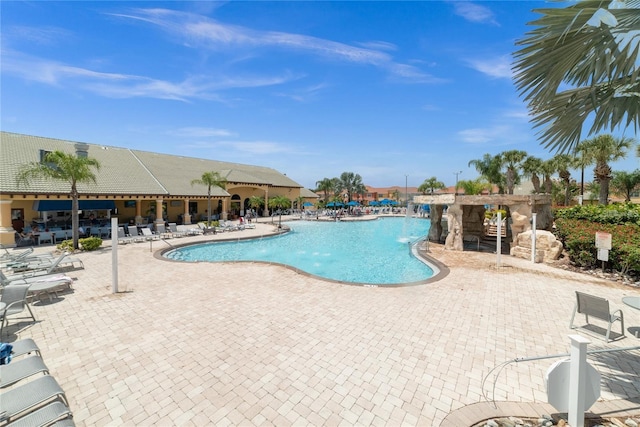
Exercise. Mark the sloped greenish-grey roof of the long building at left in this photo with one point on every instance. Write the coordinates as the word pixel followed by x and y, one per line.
pixel 125 171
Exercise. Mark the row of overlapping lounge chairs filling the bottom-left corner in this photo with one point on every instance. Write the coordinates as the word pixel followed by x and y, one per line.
pixel 29 396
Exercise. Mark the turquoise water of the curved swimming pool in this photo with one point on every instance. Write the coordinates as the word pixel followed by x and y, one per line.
pixel 367 252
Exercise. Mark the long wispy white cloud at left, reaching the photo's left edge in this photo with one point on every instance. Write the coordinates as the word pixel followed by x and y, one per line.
pixel 117 85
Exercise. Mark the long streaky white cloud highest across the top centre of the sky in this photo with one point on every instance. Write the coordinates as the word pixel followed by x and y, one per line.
pixel 203 32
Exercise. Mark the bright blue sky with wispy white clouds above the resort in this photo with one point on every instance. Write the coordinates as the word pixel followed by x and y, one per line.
pixel 385 89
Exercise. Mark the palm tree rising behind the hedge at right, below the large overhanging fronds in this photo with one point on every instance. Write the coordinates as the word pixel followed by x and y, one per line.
pixel 601 150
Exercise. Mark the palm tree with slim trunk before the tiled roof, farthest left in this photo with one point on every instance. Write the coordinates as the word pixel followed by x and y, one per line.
pixel 61 166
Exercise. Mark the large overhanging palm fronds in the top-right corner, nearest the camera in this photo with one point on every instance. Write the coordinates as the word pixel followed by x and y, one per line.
pixel 592 50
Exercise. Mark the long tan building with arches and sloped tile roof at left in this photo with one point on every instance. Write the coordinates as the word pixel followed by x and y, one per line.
pixel 130 184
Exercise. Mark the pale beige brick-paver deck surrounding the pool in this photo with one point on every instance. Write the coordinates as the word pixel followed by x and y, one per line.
pixel 254 344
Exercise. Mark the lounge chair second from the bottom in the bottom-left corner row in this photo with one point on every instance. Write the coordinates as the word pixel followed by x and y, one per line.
pixel 27 398
